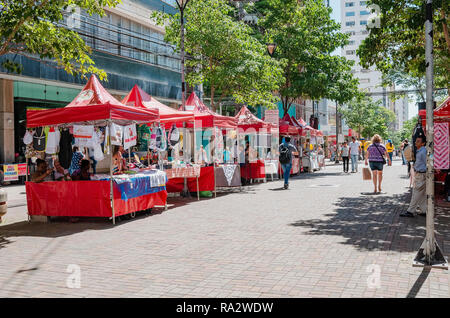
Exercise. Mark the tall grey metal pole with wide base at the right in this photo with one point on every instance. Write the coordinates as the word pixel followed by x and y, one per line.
pixel 430 254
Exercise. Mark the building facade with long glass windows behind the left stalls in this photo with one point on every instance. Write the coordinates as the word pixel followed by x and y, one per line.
pixel 125 43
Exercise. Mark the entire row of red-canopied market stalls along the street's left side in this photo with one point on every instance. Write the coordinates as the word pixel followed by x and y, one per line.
pixel 168 150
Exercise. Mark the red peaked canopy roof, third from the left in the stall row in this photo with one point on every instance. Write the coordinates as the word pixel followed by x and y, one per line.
pixel 207 117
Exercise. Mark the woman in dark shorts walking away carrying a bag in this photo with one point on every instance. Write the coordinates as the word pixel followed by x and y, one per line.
pixel 376 154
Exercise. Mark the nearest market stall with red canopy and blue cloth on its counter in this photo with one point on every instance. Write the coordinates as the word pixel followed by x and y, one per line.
pixel 94 119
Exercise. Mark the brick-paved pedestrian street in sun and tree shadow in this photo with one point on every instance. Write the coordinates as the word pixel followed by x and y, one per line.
pixel 320 238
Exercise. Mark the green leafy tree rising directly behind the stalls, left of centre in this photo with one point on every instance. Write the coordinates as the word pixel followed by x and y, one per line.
pixel 223 54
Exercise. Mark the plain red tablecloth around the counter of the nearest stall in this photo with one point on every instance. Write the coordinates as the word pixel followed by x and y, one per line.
pixel 84 199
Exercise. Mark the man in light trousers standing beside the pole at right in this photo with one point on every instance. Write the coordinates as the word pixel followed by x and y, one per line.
pixel 419 197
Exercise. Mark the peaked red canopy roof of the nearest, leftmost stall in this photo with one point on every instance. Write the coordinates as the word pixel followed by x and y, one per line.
pixel 93 105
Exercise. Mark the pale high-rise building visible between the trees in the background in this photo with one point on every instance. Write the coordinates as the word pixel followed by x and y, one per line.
pixel 354 19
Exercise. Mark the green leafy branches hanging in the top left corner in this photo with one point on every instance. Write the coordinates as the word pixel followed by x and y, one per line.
pixel 32 28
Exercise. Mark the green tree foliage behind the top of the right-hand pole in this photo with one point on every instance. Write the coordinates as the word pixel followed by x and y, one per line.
pixel 399 42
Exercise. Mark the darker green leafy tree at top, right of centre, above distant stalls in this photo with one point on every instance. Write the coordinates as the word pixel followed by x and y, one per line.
pixel 306 37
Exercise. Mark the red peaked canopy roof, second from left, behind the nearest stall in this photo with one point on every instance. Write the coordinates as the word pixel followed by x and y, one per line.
pixel 167 115
